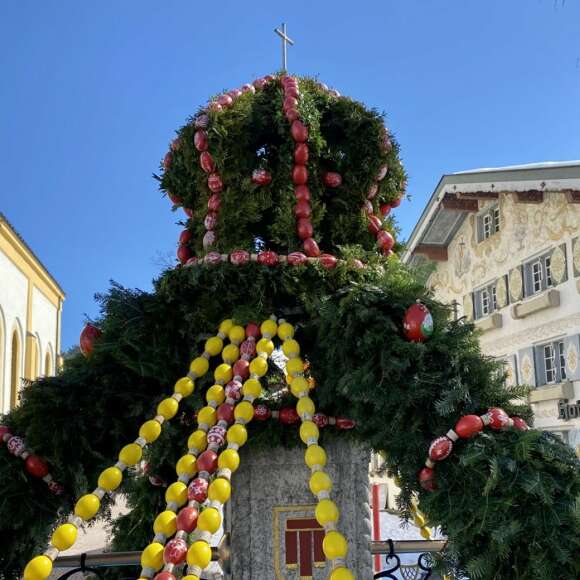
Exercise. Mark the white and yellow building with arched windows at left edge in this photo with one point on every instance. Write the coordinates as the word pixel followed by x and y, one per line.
pixel 30 317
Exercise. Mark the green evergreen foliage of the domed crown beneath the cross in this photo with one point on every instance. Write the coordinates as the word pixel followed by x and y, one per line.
pixel 254 133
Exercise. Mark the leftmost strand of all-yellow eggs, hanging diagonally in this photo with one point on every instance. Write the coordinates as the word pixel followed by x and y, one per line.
pixel 64 537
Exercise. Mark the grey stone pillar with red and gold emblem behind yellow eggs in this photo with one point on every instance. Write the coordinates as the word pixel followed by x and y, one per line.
pixel 274 535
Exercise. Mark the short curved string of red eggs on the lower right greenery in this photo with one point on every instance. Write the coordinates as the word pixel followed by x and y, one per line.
pixel 467 427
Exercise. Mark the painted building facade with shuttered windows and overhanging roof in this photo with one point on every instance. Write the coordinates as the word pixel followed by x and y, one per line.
pixel 504 246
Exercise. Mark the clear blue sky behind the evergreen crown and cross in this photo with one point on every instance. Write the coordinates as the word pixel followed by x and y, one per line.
pixel 91 92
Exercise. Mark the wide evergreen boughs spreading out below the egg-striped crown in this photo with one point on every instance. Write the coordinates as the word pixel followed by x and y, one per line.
pixel 507 501
